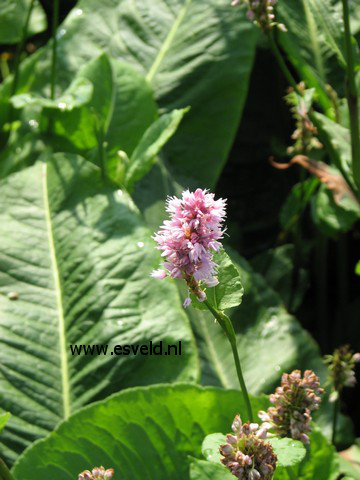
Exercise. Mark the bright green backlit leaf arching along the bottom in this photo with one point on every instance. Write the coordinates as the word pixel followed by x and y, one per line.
pixel 143 433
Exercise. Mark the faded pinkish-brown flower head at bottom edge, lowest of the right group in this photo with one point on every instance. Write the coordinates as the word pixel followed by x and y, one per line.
pixel 245 454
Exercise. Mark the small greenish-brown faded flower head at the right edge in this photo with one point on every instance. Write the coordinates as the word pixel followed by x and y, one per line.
pixel 342 369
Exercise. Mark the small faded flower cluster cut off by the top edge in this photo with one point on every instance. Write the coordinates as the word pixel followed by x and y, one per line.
pixel 262 13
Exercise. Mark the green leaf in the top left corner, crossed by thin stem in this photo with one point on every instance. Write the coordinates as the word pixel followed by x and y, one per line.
pixel 12 20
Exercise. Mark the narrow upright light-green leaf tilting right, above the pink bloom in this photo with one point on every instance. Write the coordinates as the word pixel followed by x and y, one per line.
pixel 155 137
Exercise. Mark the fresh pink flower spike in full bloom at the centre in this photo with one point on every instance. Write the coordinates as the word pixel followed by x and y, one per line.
pixel 189 239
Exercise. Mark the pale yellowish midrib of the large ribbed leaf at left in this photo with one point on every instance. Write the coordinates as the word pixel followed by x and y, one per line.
pixel 57 286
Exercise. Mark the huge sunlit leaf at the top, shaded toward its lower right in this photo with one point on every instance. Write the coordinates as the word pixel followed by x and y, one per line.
pixel 197 53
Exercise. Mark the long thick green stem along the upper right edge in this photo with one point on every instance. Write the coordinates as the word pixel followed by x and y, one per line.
pixel 352 97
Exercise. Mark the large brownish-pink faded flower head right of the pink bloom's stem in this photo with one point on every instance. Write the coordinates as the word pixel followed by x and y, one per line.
pixel 293 403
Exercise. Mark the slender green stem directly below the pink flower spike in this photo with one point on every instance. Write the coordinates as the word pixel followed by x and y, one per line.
pixel 227 326
